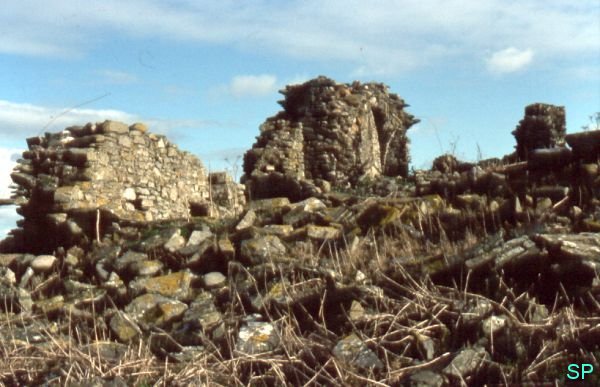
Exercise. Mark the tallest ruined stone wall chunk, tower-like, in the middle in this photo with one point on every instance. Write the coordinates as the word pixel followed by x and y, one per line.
pixel 329 134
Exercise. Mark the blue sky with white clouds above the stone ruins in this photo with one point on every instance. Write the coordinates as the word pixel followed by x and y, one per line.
pixel 206 73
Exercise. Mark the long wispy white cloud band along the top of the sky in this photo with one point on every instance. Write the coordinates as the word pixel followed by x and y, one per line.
pixel 393 37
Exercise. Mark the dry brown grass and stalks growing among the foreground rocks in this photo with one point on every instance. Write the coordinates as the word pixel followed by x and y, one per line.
pixel 407 314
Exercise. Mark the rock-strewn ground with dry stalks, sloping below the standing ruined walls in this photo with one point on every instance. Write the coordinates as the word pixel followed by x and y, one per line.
pixel 341 287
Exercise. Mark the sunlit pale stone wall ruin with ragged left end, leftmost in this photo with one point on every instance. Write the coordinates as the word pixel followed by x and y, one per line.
pixel 72 185
